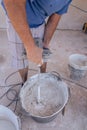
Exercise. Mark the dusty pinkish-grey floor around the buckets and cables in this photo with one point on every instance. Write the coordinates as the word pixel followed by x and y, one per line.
pixel 64 43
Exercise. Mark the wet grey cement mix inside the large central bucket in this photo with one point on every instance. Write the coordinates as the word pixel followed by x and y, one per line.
pixel 51 97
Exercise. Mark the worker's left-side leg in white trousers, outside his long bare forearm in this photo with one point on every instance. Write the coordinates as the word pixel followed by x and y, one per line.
pixel 18 53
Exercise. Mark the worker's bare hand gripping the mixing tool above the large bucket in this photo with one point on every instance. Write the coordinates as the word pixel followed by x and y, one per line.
pixel 35 55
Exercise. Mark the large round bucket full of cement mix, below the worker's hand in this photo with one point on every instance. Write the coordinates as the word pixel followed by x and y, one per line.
pixel 55 92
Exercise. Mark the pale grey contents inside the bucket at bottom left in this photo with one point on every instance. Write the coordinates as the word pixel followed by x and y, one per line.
pixel 6 125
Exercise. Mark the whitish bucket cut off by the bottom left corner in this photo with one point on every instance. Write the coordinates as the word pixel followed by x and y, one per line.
pixel 8 120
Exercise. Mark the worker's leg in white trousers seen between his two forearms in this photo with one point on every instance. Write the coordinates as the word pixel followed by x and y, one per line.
pixel 38 34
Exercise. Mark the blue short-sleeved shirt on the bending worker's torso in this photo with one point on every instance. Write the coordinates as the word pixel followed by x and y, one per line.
pixel 38 10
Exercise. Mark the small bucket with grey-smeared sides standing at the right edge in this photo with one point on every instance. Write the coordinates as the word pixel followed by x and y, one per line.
pixel 77 66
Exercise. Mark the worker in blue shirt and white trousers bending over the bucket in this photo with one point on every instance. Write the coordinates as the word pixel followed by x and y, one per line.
pixel 27 24
